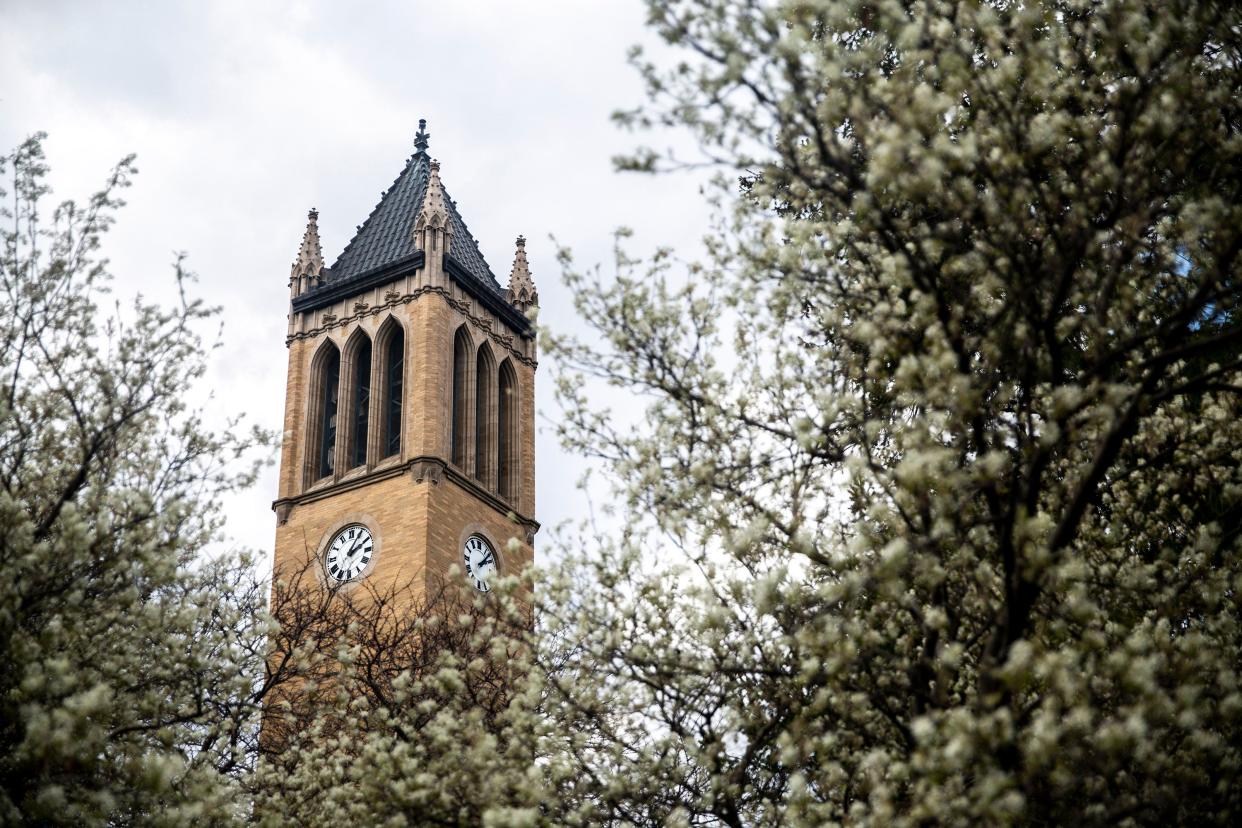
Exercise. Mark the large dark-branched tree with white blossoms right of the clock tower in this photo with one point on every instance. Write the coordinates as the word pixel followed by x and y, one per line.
pixel 935 513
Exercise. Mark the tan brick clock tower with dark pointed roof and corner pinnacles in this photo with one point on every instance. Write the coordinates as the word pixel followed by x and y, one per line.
pixel 409 413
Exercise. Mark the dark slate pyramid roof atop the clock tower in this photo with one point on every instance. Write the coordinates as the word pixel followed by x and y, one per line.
pixel 388 234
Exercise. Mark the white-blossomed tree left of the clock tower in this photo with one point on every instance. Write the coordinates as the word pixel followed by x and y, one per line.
pixel 130 655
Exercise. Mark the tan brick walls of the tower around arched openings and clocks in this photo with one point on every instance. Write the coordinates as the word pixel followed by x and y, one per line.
pixel 419 515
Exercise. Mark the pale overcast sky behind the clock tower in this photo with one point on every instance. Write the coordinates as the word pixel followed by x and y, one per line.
pixel 245 115
